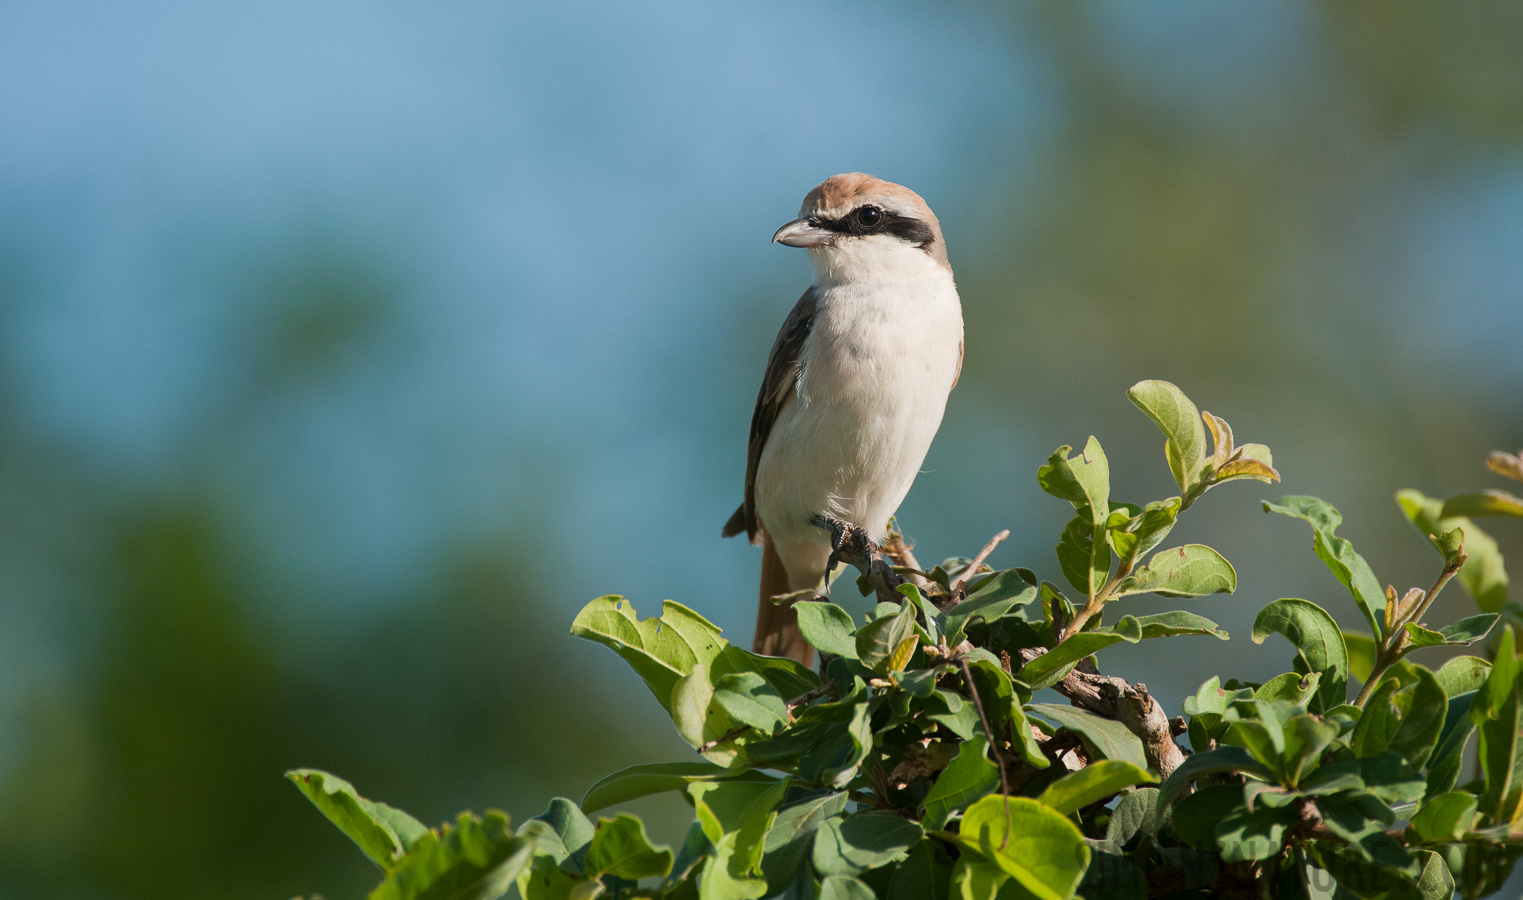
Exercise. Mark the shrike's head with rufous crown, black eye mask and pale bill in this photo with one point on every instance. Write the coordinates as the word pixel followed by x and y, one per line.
pixel 857 226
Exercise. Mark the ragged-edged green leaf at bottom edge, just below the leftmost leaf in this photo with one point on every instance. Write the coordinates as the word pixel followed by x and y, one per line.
pixel 474 860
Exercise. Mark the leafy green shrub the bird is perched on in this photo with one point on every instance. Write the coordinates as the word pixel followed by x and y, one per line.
pixel 916 762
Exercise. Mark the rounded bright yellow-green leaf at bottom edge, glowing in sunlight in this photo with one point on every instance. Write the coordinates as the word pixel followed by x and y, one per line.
pixel 1033 844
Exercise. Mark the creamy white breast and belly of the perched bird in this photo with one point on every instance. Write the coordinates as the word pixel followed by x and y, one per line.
pixel 878 368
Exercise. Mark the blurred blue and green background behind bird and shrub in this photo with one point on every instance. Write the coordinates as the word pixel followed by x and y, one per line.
pixel 348 349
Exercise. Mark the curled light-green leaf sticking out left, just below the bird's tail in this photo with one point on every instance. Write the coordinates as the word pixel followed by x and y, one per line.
pixel 660 651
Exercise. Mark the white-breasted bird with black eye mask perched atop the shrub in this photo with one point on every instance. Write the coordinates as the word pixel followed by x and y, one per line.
pixel 855 388
